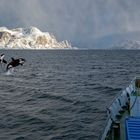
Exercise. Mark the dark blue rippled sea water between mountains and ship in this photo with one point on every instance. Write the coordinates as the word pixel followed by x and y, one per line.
pixel 62 94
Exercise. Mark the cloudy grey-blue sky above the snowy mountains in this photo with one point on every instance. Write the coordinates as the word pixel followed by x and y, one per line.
pixel 78 21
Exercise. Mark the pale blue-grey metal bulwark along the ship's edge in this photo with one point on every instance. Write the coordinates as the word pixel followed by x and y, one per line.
pixel 117 105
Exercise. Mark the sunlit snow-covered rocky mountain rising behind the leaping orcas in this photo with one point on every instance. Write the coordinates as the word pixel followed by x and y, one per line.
pixel 29 38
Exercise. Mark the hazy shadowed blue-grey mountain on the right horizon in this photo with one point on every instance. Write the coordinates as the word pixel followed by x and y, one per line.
pixel 129 40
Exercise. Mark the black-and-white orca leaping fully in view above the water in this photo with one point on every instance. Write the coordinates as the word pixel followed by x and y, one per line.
pixel 15 63
